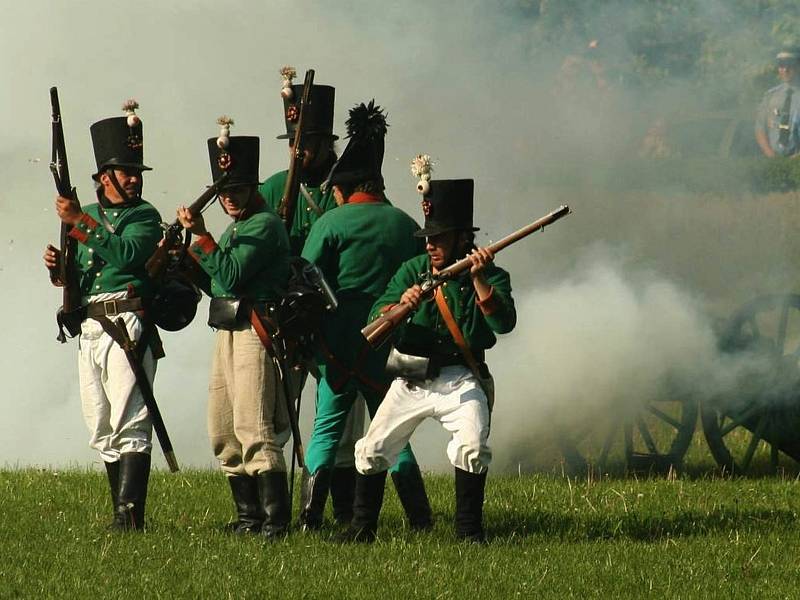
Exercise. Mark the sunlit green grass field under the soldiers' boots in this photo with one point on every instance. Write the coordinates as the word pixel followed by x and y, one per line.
pixel 550 537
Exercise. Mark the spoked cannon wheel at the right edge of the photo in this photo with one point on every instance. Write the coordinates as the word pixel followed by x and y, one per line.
pixel 737 429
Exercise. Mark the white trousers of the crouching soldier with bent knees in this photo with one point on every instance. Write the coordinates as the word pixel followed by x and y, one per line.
pixel 454 398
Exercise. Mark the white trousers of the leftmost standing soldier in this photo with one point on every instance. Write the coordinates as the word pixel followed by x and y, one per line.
pixel 113 407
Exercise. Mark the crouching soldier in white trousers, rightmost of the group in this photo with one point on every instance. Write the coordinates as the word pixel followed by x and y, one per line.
pixel 438 360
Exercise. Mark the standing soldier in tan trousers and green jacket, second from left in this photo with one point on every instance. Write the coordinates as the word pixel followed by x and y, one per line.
pixel 248 422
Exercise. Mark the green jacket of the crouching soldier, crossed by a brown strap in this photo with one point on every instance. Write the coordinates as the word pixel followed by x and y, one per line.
pixel 426 333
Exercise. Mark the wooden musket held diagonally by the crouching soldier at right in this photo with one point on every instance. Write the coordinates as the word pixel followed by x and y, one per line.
pixel 379 330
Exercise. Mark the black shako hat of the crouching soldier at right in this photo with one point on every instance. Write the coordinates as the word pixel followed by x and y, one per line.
pixel 447 207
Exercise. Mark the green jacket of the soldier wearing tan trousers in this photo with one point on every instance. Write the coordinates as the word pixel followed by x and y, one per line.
pixel 251 260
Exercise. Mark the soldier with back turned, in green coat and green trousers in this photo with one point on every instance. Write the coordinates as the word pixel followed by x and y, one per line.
pixel 357 246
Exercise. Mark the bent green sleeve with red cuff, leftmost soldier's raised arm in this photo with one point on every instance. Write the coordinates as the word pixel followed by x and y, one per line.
pixel 131 245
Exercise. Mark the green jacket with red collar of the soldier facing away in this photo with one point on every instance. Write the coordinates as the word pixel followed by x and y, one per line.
pixel 358 247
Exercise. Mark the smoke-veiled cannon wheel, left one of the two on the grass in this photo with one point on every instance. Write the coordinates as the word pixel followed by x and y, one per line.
pixel 652 439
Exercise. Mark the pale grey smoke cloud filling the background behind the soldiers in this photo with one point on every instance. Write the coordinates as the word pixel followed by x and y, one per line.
pixel 615 302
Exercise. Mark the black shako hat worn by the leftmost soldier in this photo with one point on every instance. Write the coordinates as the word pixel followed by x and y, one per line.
pixel 117 144
